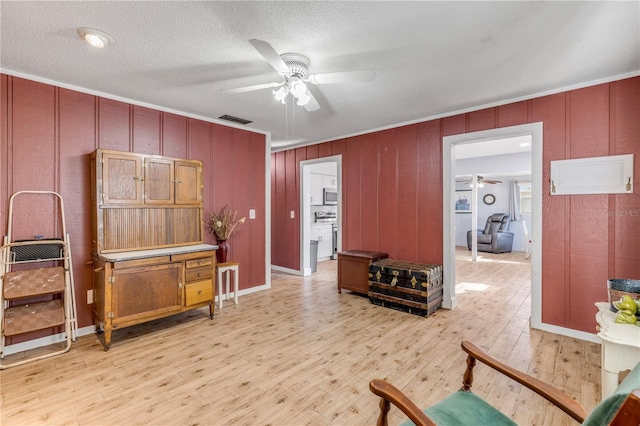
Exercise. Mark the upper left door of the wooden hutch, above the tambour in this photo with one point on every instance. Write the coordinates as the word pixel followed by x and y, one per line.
pixel 121 178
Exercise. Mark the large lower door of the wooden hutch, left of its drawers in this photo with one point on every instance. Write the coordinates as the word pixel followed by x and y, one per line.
pixel 145 292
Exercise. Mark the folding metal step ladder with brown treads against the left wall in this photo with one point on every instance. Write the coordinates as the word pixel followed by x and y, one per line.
pixel 36 284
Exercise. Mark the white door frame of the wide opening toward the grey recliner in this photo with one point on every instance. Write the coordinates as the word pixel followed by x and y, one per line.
pixel 534 130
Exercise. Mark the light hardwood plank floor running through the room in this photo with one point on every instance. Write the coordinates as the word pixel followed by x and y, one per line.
pixel 302 354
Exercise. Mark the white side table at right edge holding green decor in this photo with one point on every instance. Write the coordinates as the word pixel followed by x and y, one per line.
pixel 620 347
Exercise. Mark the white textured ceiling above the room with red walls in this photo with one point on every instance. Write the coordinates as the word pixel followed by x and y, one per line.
pixel 430 58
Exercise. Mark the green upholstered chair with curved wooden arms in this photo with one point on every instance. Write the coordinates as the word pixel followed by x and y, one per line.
pixel 466 408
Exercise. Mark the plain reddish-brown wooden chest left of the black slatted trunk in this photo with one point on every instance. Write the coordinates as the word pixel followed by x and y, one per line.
pixel 353 269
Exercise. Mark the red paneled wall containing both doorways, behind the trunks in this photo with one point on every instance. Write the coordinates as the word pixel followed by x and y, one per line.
pixel 392 193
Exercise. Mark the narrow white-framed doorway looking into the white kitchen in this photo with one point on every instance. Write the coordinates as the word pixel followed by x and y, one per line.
pixel 313 173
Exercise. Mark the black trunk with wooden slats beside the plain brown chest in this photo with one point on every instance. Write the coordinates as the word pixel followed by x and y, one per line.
pixel 411 287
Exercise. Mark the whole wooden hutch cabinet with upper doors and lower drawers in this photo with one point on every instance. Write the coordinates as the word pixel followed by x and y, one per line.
pixel 147 239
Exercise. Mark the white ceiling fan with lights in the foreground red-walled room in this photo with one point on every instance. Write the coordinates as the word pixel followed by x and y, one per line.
pixel 294 67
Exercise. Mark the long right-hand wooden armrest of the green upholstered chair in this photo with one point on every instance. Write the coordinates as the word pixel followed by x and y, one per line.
pixel 550 393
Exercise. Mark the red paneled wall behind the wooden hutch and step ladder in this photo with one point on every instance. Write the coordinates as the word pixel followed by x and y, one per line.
pixel 47 134
